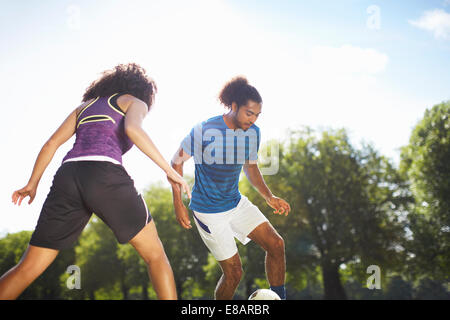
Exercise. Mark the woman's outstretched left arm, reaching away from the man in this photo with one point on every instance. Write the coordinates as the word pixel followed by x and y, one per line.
pixel 61 135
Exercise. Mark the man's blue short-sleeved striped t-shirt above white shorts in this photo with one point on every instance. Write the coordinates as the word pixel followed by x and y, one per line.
pixel 219 154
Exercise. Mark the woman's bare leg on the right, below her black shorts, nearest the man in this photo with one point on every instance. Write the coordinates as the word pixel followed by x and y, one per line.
pixel 150 248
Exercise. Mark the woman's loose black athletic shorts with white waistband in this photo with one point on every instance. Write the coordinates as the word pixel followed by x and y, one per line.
pixel 81 188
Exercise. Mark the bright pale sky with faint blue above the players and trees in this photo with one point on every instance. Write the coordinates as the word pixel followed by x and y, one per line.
pixel 371 67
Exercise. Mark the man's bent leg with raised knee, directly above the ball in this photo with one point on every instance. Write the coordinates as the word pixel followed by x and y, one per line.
pixel 268 238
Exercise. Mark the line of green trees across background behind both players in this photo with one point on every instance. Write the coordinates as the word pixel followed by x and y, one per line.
pixel 351 208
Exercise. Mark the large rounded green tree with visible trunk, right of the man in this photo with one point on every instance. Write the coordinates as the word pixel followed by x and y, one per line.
pixel 344 206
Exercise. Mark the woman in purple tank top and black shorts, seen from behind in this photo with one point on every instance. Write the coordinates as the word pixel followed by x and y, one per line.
pixel 92 179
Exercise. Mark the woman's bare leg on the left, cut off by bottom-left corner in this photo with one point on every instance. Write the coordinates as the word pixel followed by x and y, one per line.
pixel 33 263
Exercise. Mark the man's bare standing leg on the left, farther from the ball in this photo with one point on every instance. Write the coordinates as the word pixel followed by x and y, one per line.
pixel 232 274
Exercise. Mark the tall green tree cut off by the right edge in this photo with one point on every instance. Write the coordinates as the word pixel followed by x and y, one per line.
pixel 425 161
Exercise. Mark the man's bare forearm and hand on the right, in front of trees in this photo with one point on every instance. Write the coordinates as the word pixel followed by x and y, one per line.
pixel 255 177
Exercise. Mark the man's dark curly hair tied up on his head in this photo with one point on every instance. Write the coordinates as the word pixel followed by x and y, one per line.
pixel 238 90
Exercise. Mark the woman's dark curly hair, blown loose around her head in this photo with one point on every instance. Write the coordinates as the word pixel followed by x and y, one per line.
pixel 125 78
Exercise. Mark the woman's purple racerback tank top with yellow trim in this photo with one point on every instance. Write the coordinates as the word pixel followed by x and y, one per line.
pixel 100 131
